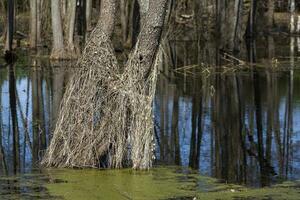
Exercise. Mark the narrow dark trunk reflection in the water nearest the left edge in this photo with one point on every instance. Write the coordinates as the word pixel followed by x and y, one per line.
pixel 14 119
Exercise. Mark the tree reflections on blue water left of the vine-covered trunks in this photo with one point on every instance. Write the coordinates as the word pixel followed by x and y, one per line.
pixel 25 134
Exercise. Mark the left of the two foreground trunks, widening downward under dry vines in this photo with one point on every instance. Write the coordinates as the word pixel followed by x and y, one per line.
pixel 97 63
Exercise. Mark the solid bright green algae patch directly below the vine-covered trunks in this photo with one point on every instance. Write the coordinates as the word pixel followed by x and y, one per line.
pixel 120 184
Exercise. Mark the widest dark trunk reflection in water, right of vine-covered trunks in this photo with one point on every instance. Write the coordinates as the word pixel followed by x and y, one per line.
pixel 227 117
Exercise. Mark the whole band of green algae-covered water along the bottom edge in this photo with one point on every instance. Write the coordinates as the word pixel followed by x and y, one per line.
pixel 159 183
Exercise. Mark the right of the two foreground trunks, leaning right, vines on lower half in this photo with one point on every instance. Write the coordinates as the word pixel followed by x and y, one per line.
pixel 141 72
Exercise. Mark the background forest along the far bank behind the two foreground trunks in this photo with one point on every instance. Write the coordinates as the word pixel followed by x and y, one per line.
pixel 62 26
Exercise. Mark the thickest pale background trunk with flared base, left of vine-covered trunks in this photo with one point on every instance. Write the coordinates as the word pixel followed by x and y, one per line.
pixel 57 29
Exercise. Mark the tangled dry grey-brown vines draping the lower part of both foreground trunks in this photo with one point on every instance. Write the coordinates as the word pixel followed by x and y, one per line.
pixel 106 116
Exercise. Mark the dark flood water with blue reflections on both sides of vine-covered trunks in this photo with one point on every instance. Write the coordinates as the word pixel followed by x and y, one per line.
pixel 237 120
